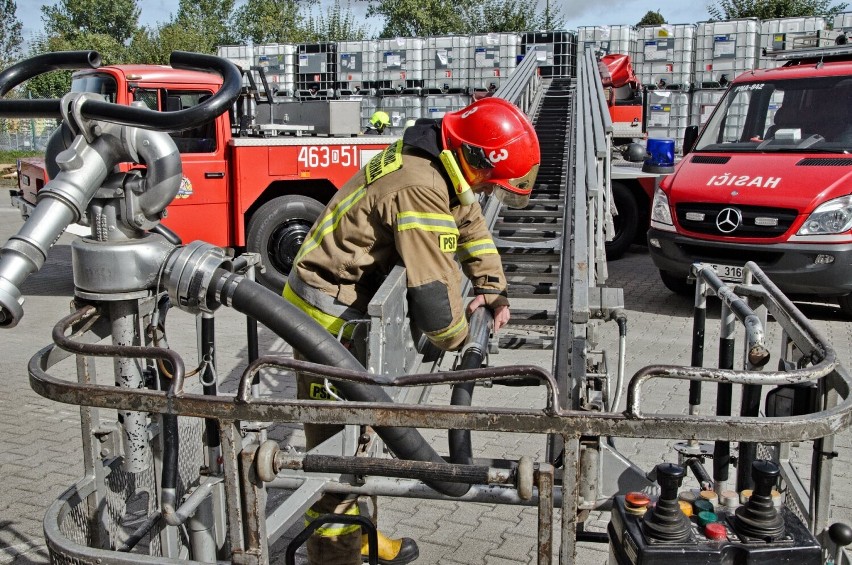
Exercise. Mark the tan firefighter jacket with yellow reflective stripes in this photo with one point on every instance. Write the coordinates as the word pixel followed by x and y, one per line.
pixel 398 208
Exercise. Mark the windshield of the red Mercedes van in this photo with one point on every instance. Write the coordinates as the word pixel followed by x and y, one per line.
pixel 806 115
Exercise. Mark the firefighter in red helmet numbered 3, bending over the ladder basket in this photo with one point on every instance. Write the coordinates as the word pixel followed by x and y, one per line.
pixel 415 202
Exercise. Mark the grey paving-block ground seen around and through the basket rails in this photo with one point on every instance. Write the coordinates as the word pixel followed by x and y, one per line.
pixel 39 439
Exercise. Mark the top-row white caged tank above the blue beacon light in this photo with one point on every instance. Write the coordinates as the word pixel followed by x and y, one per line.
pixel 665 56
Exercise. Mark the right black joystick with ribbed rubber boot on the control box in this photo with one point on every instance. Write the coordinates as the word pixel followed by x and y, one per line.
pixel 759 518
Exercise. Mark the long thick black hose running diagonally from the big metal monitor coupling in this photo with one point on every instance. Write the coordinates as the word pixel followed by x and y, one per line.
pixel 318 346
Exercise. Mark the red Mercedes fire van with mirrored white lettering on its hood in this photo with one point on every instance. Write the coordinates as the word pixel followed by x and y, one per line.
pixel 769 181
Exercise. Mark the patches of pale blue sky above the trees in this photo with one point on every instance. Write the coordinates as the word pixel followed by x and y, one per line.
pixel 576 12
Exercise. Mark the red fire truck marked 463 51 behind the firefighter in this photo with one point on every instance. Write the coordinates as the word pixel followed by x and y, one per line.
pixel 261 191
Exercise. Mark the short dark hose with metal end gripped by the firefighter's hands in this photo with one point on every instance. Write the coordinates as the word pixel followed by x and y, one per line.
pixel 473 353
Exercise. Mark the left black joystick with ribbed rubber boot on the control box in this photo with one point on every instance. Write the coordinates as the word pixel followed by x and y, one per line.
pixel 666 522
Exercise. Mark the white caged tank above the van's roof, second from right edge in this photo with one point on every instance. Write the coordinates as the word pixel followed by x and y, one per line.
pixel 785 34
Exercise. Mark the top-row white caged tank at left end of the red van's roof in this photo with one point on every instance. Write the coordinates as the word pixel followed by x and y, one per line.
pixel 724 50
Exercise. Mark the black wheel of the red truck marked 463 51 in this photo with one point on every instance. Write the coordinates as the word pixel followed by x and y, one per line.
pixel 276 231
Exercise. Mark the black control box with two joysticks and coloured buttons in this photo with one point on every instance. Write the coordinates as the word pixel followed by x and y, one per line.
pixel 700 528
